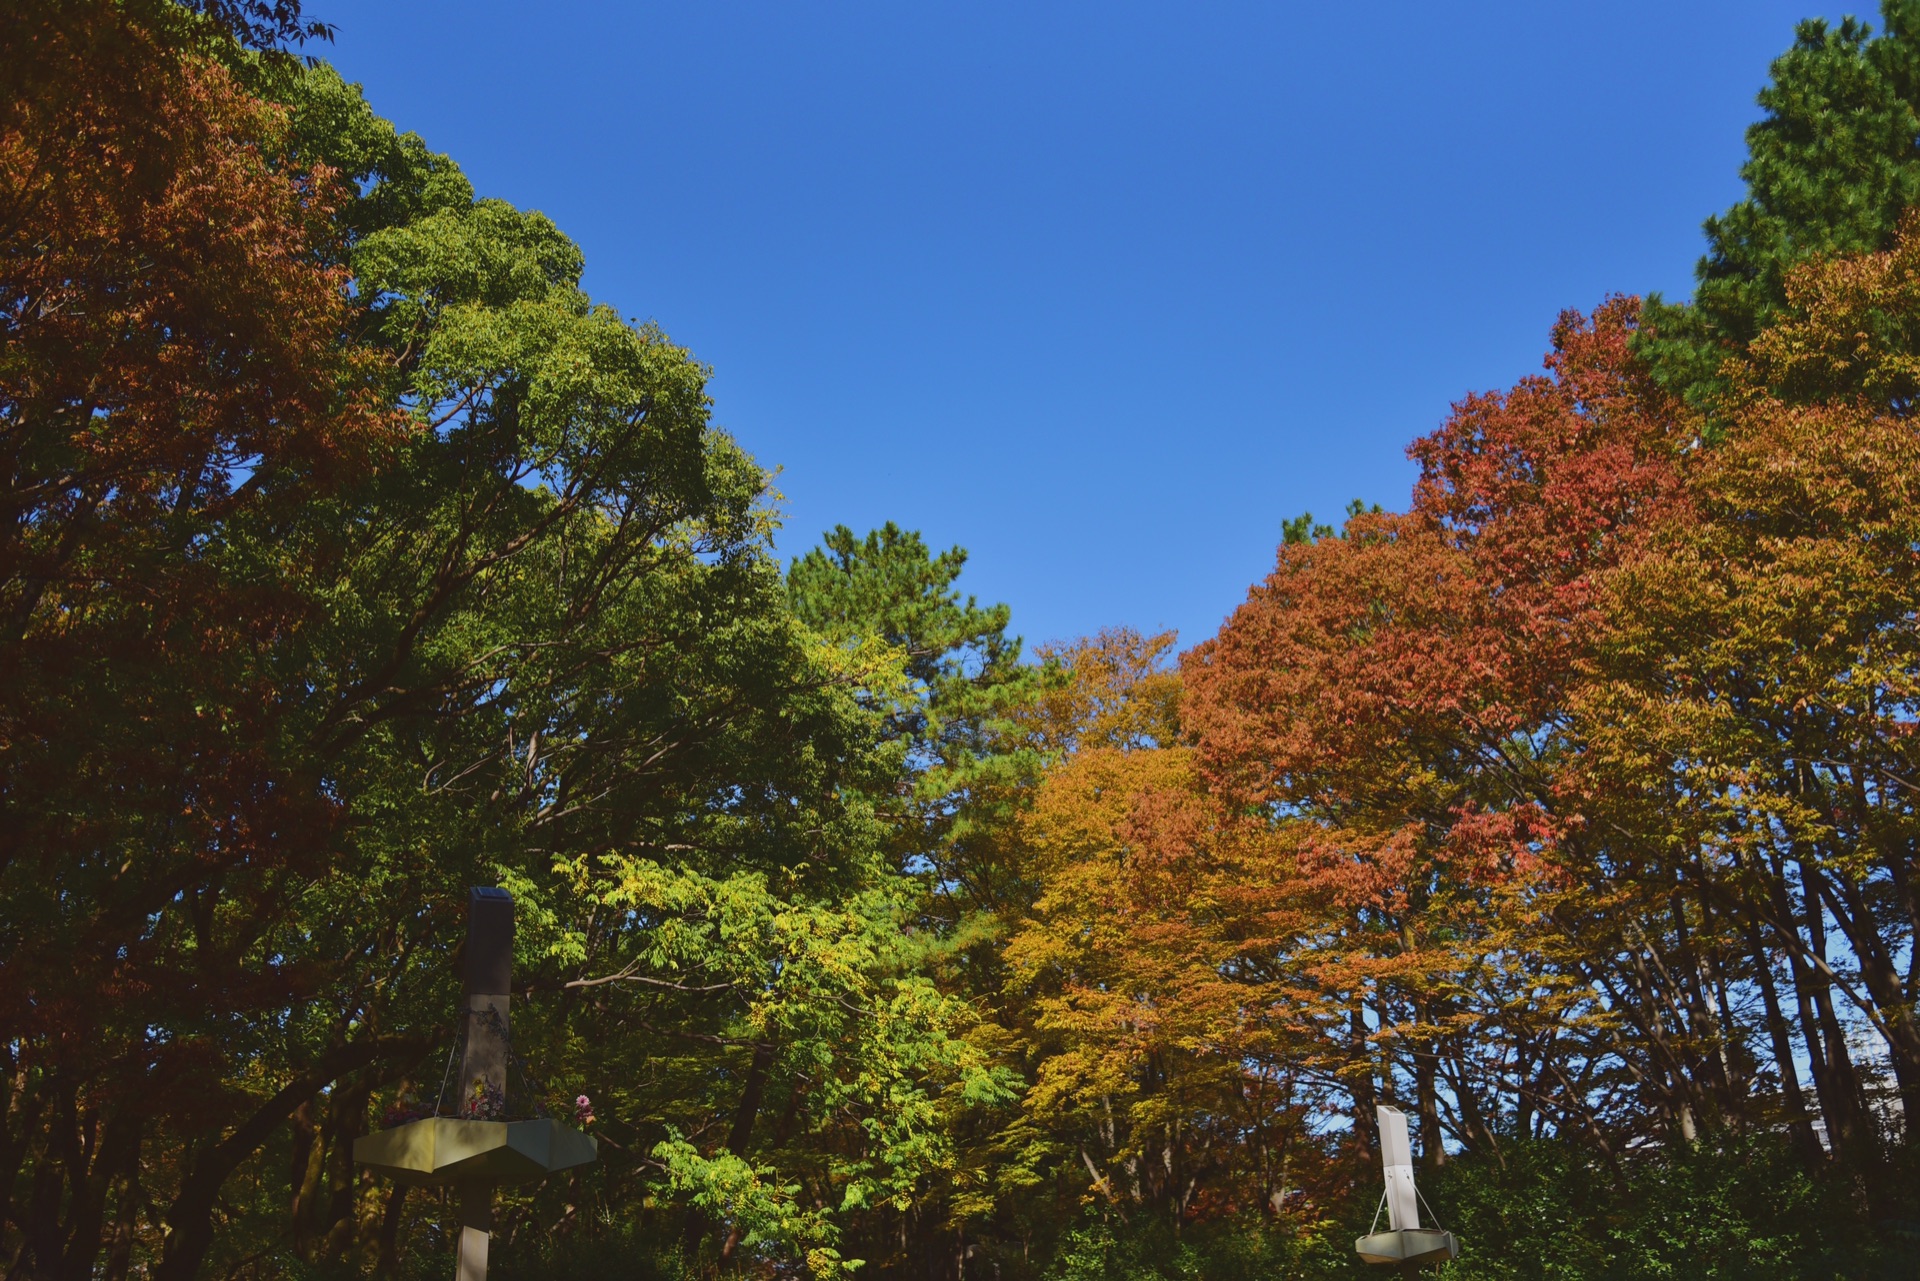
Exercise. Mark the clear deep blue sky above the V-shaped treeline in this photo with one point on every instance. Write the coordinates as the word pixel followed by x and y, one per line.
pixel 1101 293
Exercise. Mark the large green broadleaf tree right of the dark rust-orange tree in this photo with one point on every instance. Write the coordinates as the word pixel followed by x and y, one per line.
pixel 567 664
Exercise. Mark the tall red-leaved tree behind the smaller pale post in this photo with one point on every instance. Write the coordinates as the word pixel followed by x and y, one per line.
pixel 1395 694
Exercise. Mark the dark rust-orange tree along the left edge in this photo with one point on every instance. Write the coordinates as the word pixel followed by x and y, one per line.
pixel 172 389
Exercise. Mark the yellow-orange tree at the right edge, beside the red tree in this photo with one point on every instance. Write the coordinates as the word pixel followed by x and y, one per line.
pixel 1752 698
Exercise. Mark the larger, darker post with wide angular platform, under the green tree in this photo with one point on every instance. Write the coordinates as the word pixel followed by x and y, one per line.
pixel 481 1148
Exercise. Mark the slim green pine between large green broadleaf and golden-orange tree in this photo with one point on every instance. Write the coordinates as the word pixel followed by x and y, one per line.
pixel 961 727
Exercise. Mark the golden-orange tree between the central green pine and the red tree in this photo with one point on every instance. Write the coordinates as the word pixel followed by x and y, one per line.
pixel 1170 1069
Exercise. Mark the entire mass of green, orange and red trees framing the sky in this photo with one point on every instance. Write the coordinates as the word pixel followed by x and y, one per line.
pixel 354 556
